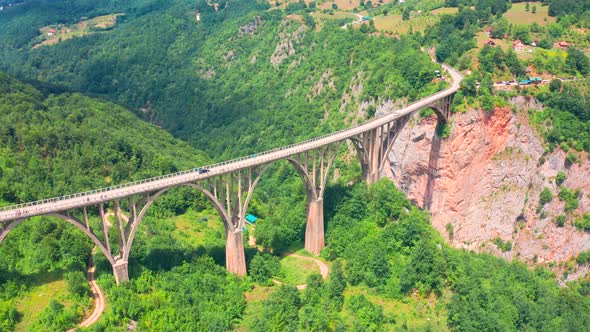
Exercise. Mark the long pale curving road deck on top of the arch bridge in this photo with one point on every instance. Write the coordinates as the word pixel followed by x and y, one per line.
pixel 98 196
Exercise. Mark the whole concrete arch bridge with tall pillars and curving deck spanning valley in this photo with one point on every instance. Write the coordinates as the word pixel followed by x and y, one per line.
pixel 229 185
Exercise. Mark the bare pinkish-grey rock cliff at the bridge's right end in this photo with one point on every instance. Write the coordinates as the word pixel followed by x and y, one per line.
pixel 483 183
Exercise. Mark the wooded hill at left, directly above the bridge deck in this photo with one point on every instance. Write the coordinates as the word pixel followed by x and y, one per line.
pixel 51 145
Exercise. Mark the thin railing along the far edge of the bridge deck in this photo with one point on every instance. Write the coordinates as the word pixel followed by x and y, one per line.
pixel 212 166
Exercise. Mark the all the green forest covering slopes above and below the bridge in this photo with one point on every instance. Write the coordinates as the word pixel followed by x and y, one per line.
pixel 240 80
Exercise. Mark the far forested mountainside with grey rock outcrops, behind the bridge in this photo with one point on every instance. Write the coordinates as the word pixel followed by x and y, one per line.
pixel 213 83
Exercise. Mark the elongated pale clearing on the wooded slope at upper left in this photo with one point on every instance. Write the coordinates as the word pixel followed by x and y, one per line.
pixel 53 34
